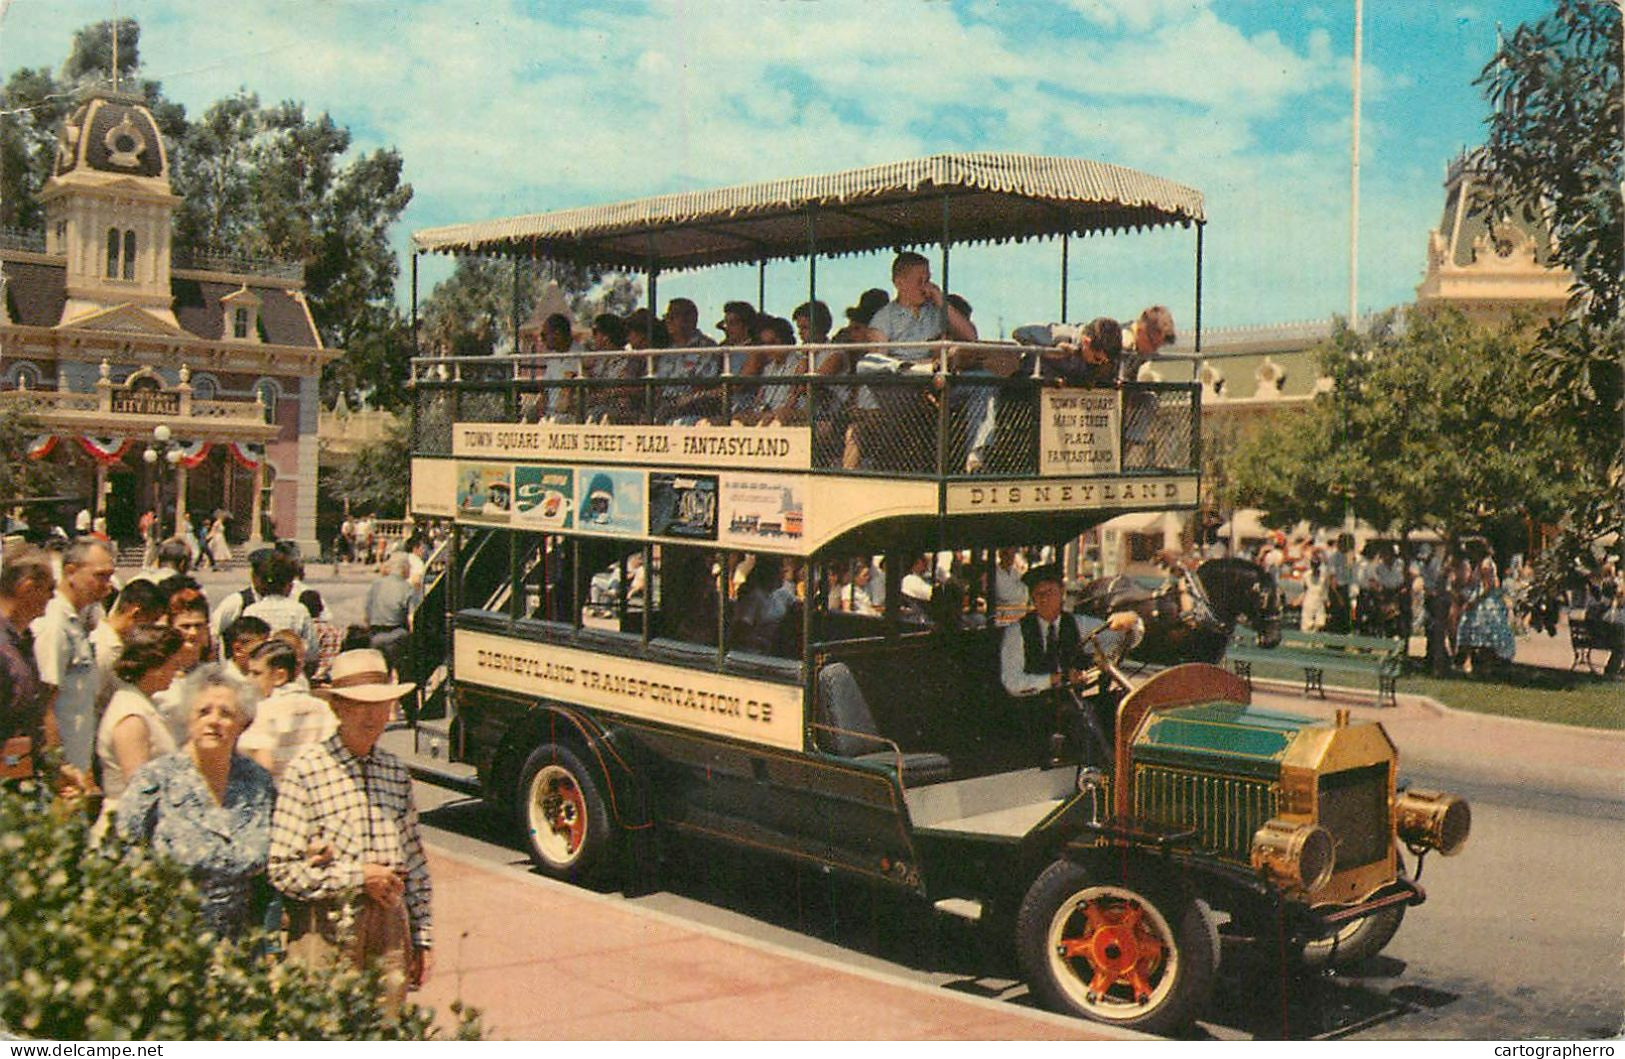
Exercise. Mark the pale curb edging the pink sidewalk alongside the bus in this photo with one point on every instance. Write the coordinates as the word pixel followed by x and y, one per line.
pixel 789 954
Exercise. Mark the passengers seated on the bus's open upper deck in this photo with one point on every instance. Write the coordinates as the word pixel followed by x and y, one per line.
pixel 756 348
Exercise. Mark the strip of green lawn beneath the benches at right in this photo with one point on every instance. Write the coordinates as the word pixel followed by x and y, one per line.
pixel 1532 693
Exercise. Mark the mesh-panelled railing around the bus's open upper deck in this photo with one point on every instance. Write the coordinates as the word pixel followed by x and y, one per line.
pixel 940 418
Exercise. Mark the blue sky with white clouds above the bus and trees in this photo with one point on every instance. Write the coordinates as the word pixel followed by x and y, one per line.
pixel 518 106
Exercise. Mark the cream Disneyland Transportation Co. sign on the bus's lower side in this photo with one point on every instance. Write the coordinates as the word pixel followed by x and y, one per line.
pixel 709 702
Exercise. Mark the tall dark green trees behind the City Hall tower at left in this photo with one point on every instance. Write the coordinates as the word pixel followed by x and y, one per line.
pixel 256 181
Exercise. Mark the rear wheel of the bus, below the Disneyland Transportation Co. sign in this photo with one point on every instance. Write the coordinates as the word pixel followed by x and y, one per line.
pixel 563 816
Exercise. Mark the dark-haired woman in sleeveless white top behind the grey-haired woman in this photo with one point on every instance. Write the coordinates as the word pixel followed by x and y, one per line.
pixel 132 732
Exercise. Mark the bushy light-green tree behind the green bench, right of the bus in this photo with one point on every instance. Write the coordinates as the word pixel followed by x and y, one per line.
pixel 1428 425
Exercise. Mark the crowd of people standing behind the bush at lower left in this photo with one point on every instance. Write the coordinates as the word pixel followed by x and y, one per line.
pixel 238 740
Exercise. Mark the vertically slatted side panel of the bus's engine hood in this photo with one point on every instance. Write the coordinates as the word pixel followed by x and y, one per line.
pixel 1224 811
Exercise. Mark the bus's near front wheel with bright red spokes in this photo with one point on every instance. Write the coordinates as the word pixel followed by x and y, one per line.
pixel 1129 953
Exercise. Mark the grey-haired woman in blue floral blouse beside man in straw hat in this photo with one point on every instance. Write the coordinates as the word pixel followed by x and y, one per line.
pixel 209 808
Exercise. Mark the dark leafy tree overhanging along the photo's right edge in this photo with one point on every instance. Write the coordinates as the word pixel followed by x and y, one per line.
pixel 1556 147
